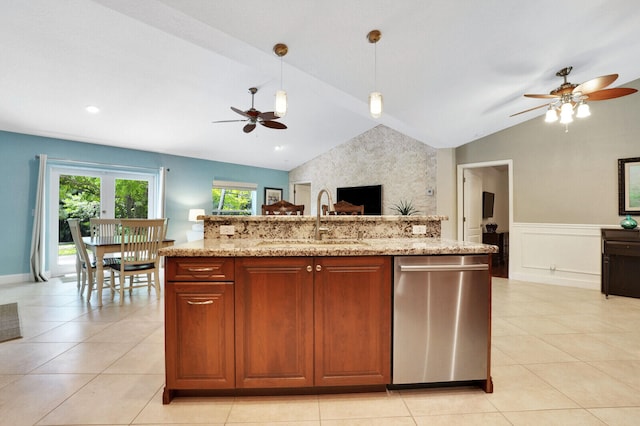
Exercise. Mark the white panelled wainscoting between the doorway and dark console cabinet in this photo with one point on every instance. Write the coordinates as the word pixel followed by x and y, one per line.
pixel 559 254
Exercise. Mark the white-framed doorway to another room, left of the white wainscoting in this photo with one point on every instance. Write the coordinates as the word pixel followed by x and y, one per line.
pixel 473 179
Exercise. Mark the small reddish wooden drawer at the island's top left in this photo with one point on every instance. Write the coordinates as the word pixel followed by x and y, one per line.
pixel 199 269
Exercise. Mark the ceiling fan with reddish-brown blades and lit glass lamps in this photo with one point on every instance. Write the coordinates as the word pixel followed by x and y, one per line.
pixel 568 95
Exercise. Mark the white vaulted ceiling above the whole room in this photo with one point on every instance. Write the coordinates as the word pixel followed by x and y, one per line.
pixel 162 70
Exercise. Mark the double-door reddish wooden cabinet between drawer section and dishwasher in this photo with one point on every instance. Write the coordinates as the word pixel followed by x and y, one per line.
pixel 328 315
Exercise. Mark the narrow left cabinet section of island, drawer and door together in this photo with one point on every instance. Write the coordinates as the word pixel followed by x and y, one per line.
pixel 199 324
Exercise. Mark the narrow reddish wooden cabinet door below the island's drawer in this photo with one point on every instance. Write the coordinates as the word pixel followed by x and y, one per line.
pixel 199 335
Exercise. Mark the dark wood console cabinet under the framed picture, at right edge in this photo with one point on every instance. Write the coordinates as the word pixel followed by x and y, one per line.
pixel 620 262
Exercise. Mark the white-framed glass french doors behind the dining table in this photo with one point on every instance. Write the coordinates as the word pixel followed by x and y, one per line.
pixel 82 193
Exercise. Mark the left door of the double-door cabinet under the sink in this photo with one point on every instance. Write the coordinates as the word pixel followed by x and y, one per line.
pixel 274 322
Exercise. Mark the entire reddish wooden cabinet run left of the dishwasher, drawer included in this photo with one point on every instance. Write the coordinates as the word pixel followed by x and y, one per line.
pixel 269 322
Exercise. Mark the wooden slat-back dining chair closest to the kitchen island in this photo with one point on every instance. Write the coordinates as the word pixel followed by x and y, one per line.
pixel 140 240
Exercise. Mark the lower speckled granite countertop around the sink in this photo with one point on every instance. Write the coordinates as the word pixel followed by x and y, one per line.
pixel 245 247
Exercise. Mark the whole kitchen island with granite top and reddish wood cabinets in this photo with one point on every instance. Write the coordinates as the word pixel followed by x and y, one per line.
pixel 259 306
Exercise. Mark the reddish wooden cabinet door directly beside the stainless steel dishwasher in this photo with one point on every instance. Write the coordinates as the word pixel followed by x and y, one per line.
pixel 352 320
